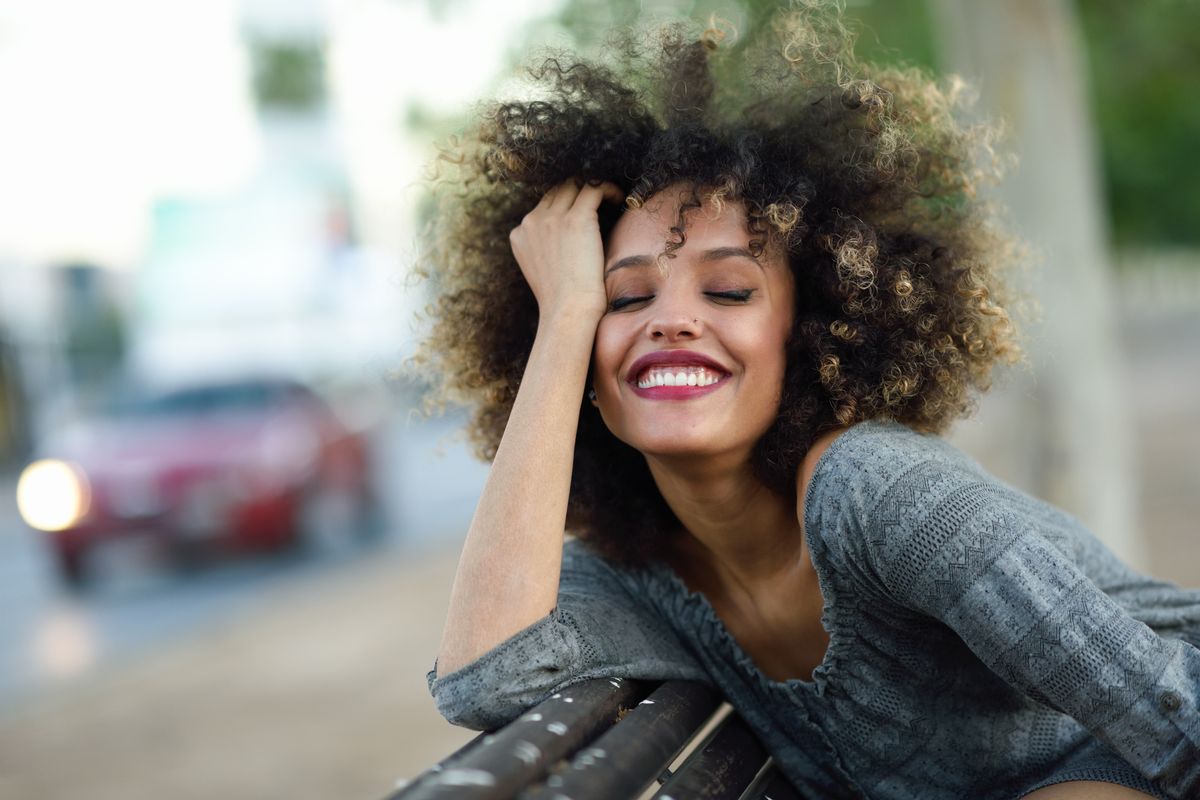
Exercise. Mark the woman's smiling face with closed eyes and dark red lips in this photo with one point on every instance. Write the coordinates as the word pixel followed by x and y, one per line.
pixel 689 360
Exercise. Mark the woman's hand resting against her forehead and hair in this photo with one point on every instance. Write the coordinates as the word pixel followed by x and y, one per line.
pixel 559 249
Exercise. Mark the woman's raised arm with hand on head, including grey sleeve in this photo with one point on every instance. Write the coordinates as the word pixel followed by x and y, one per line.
pixel 527 617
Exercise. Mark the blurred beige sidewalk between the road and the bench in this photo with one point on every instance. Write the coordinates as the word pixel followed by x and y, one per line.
pixel 321 695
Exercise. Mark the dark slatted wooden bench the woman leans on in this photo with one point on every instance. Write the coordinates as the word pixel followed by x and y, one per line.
pixel 610 739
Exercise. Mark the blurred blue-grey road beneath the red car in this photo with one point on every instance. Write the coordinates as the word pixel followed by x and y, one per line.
pixel 51 639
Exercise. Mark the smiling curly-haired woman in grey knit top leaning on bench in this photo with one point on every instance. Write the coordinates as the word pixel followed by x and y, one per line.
pixel 715 327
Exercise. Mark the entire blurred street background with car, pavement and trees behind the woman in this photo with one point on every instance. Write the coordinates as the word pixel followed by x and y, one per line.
pixel 226 536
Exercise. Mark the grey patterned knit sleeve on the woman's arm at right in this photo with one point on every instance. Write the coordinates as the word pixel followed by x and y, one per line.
pixel 941 538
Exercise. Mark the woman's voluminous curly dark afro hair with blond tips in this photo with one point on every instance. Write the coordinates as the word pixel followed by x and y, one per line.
pixel 863 176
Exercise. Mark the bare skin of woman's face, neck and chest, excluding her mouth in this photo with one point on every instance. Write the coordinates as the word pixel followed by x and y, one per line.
pixel 745 546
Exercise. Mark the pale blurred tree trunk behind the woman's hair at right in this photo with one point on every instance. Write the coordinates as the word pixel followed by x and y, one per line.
pixel 1061 430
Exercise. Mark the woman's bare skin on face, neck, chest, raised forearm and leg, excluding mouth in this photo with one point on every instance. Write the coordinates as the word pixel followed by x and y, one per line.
pixel 745 548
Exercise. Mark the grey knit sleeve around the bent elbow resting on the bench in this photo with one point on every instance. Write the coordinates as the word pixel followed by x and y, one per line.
pixel 599 629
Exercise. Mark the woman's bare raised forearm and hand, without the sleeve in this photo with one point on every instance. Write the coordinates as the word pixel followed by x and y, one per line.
pixel 509 572
